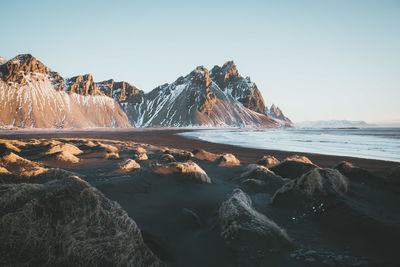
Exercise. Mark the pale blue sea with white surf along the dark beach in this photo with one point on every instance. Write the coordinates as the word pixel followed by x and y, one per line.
pixel 372 143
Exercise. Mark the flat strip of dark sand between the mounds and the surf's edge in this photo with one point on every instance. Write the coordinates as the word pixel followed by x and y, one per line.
pixel 168 137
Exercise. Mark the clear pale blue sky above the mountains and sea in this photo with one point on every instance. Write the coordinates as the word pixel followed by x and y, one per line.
pixel 327 59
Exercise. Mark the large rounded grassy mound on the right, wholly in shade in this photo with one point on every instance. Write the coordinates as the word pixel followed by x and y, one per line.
pixel 312 188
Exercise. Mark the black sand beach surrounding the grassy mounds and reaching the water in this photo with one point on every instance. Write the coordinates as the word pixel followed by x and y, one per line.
pixel 180 220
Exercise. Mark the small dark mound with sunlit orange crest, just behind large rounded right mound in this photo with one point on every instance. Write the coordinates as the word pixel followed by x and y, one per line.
pixel 293 168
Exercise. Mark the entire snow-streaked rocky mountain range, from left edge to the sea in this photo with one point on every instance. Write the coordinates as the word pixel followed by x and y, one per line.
pixel 34 96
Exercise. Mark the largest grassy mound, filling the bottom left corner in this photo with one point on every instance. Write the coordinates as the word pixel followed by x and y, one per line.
pixel 70 224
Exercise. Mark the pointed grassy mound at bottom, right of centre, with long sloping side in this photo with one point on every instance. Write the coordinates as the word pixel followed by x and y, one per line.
pixel 250 233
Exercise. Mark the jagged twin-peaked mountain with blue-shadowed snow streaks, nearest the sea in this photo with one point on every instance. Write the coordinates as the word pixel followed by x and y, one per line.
pixel 202 98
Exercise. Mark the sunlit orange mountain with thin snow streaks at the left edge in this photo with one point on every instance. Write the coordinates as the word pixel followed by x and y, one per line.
pixel 33 96
